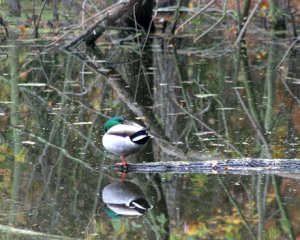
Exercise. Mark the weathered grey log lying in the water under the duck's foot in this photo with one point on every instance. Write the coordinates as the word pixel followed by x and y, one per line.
pixel 228 166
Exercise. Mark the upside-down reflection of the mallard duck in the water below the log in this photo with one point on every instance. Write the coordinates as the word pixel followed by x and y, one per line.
pixel 124 198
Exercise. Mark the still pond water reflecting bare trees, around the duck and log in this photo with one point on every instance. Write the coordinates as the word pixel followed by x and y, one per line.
pixel 201 103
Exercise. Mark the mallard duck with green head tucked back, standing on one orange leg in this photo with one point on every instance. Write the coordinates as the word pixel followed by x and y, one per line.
pixel 123 138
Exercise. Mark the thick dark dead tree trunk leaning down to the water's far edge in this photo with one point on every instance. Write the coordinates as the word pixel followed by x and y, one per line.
pixel 139 14
